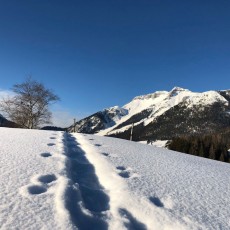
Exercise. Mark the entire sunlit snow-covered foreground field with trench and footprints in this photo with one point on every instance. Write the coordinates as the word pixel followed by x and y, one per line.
pixel 55 180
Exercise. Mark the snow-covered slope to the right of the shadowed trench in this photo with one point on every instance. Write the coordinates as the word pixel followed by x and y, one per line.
pixel 160 189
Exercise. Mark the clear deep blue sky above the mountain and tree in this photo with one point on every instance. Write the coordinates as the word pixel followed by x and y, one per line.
pixel 100 53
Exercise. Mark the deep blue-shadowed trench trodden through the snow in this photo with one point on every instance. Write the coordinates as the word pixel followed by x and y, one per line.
pixel 86 200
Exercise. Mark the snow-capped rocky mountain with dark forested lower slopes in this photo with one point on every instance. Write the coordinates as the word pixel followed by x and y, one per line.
pixel 162 115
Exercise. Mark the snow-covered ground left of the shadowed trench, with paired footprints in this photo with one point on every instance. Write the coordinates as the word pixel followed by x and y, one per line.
pixel 31 180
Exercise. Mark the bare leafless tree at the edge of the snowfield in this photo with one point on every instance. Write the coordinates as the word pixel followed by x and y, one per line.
pixel 29 107
